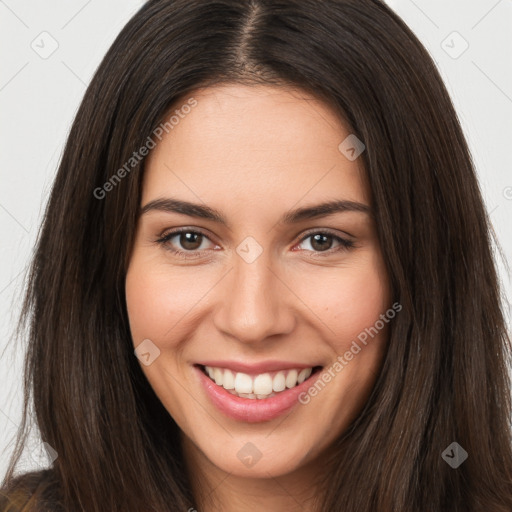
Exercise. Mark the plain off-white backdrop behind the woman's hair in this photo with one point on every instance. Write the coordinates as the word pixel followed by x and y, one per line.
pixel 50 51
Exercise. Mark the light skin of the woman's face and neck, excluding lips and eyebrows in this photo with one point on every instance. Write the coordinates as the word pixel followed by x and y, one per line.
pixel 255 153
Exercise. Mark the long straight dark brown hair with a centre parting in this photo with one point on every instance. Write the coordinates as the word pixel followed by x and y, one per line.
pixel 444 378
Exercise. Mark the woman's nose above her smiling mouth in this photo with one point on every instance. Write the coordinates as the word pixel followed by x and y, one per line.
pixel 254 302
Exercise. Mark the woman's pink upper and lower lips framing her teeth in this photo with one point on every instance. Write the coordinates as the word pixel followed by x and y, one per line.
pixel 247 409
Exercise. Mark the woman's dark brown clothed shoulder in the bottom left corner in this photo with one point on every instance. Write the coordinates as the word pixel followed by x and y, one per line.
pixel 30 492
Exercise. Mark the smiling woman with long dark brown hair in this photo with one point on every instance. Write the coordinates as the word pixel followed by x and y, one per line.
pixel 264 279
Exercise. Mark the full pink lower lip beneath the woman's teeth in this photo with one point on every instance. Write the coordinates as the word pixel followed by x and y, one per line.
pixel 253 410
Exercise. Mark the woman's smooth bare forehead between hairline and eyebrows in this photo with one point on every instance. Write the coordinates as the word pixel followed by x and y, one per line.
pixel 253 143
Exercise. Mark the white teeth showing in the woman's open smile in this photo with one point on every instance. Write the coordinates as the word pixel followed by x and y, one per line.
pixel 258 386
